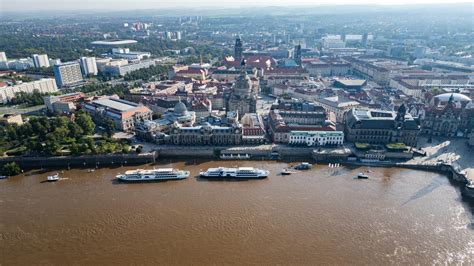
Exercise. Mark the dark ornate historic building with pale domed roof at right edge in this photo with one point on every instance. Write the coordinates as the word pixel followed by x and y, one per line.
pixel 450 115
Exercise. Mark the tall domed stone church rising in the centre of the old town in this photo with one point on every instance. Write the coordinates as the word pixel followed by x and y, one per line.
pixel 243 98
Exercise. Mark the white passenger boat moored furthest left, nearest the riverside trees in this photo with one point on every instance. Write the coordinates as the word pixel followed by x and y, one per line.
pixel 140 175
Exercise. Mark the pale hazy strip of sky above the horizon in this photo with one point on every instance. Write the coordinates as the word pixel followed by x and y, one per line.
pixel 44 5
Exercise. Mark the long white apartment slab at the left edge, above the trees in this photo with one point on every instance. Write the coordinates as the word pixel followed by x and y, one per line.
pixel 42 86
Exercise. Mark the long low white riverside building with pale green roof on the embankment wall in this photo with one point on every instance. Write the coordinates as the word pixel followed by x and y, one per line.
pixel 316 138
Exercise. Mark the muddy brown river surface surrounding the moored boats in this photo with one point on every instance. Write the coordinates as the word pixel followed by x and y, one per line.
pixel 321 216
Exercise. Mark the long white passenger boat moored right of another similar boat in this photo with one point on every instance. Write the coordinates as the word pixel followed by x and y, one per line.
pixel 240 172
